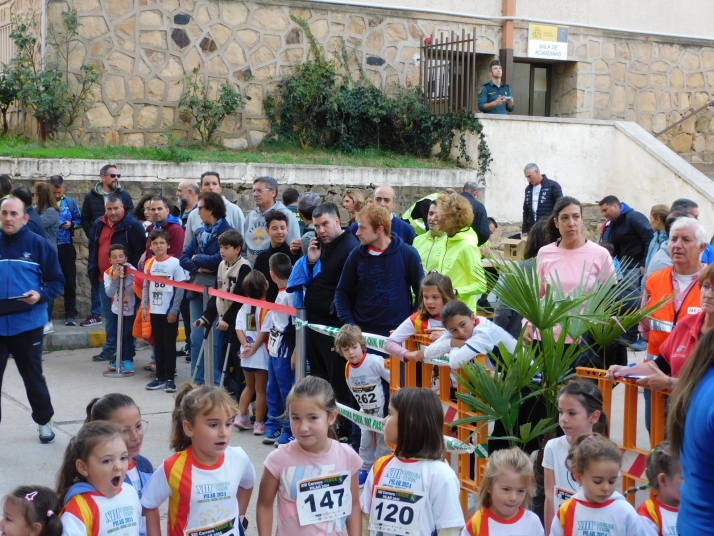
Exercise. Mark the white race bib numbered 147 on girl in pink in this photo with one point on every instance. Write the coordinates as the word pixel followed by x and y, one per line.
pixel 324 498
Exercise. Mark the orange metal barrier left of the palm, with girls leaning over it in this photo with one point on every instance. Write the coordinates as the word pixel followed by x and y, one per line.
pixel 453 410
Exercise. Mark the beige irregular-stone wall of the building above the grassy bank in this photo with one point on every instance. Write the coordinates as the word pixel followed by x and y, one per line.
pixel 145 48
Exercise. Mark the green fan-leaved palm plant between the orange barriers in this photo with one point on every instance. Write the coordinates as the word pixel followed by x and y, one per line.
pixel 599 316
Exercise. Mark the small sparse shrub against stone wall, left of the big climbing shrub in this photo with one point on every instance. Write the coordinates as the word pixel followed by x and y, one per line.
pixel 208 113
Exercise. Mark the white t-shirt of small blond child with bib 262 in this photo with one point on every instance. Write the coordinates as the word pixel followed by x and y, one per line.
pixel 365 382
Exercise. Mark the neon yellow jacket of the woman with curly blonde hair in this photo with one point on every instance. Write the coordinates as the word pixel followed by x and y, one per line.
pixel 461 261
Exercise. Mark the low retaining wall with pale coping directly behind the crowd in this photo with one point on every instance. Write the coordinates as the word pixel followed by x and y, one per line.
pixel 140 178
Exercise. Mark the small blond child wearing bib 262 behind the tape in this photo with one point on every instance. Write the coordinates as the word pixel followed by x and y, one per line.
pixel 366 377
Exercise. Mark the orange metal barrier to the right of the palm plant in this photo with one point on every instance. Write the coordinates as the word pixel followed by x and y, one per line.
pixel 633 458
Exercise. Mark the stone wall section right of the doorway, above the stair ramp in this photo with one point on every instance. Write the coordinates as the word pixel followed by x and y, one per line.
pixel 630 77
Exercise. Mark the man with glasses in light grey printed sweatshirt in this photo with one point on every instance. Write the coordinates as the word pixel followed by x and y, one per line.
pixel 265 192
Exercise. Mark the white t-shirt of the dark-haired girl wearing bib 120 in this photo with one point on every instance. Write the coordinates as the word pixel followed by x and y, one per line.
pixel 424 492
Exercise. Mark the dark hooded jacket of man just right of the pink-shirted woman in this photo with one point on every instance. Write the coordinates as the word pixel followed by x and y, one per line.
pixel 630 235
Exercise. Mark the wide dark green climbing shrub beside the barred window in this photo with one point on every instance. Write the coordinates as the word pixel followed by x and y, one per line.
pixel 320 104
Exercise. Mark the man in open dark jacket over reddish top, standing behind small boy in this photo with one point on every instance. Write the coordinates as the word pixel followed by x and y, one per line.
pixel 117 226
